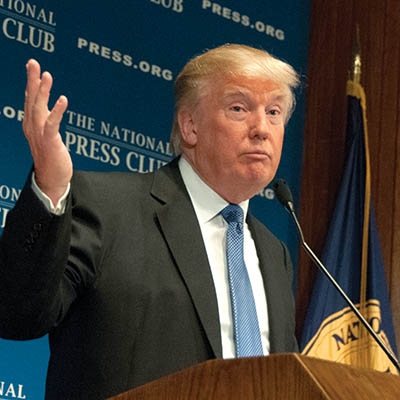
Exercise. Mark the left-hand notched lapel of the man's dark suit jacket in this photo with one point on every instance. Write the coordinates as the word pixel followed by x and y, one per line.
pixel 182 232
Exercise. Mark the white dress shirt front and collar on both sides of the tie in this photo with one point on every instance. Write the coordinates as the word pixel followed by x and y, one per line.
pixel 208 205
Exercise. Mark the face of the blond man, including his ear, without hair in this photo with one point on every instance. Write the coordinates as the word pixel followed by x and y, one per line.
pixel 234 136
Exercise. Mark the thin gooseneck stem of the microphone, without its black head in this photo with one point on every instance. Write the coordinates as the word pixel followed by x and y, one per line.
pixel 289 206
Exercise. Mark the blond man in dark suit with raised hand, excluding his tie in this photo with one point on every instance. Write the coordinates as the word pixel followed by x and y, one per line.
pixel 127 273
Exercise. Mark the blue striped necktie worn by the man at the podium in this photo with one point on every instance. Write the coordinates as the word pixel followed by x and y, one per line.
pixel 246 328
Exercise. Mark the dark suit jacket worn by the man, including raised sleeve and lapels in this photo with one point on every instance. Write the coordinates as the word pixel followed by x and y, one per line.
pixel 122 283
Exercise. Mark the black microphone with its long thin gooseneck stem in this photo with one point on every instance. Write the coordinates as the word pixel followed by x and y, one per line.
pixel 284 195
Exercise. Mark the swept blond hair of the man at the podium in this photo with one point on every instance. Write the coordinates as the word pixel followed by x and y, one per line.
pixel 228 60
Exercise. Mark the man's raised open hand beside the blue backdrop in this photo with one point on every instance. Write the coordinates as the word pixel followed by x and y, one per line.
pixel 52 161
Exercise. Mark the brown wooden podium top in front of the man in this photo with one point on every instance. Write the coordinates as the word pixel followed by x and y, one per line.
pixel 276 377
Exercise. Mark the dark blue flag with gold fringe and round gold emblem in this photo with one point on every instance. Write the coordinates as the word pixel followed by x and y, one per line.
pixel 352 255
